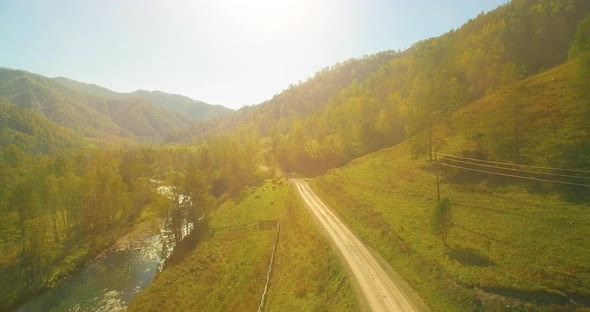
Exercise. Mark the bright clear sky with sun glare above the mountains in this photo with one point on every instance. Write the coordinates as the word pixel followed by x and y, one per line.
pixel 229 52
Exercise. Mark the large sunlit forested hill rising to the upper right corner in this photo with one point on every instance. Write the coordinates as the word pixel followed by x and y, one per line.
pixel 399 95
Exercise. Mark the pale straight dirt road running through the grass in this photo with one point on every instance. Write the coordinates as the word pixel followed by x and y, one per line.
pixel 380 291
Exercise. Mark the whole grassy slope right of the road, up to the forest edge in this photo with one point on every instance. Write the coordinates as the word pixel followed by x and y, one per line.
pixel 511 243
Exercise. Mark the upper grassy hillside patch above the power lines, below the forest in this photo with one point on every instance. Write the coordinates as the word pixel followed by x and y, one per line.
pixel 541 106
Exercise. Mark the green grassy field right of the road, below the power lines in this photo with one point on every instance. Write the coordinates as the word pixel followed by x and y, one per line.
pixel 508 247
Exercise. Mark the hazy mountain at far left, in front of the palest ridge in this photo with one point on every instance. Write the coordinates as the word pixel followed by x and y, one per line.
pixel 91 110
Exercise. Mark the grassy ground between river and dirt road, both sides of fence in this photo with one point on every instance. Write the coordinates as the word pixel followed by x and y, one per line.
pixel 227 272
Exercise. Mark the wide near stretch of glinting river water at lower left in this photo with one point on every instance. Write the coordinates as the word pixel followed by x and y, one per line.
pixel 108 283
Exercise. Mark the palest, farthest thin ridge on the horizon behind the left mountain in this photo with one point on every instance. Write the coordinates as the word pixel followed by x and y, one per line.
pixel 196 110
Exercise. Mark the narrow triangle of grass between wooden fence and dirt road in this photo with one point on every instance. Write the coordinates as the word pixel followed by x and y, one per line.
pixel 307 274
